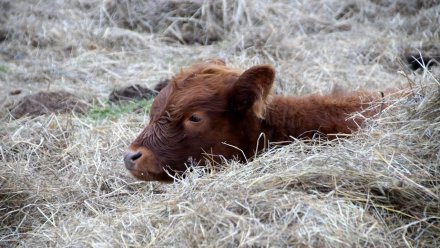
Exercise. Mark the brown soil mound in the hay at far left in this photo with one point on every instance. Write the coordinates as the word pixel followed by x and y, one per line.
pixel 46 103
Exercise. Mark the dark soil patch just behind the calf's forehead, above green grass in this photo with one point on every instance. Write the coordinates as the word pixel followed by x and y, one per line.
pixel 131 93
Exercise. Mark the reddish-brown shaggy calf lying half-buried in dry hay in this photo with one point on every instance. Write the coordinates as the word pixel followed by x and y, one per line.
pixel 212 109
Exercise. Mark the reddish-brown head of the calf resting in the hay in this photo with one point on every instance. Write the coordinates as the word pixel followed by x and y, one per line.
pixel 206 111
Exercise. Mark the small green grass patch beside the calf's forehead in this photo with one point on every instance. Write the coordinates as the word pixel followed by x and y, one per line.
pixel 115 111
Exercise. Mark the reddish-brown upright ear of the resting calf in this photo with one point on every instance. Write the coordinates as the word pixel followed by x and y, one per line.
pixel 251 90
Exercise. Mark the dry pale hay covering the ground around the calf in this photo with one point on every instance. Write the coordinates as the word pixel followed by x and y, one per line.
pixel 62 178
